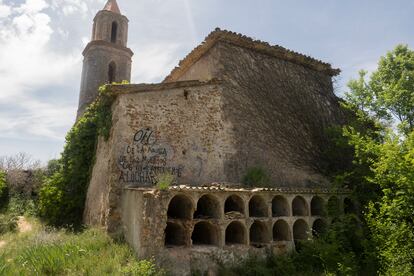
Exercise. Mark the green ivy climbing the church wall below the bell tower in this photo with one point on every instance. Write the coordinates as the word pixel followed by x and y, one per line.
pixel 63 194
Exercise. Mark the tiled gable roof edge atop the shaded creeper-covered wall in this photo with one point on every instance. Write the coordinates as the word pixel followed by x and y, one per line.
pixel 249 43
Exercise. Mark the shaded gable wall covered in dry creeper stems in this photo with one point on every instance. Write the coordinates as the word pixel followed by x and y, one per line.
pixel 279 111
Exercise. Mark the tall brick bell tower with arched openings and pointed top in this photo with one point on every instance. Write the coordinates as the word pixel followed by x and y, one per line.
pixel 107 58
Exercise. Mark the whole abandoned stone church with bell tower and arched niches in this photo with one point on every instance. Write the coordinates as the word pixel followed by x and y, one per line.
pixel 232 104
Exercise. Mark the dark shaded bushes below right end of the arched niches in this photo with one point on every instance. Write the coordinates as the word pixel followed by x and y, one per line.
pixel 341 250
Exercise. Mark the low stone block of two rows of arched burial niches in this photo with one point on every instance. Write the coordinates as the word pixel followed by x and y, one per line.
pixel 195 228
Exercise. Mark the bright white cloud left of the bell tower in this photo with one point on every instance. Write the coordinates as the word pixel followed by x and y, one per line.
pixel 28 63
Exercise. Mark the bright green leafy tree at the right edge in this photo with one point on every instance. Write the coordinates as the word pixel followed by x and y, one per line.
pixel 387 99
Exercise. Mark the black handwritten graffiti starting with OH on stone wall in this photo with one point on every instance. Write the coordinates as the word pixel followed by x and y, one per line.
pixel 144 158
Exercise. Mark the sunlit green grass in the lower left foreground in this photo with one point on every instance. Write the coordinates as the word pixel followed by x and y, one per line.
pixel 50 252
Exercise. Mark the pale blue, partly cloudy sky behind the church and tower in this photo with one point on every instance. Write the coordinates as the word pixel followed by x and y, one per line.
pixel 41 43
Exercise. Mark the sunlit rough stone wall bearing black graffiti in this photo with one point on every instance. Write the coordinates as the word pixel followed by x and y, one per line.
pixel 175 128
